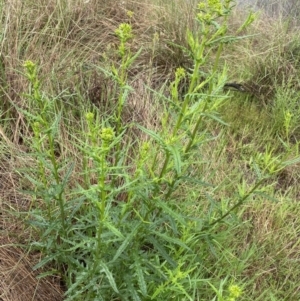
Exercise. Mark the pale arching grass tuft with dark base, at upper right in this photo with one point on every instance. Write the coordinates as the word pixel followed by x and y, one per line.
pixel 266 60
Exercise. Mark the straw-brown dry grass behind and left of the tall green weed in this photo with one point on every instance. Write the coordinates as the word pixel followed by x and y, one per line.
pixel 67 41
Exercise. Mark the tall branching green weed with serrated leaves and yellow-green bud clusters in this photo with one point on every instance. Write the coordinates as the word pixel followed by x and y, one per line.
pixel 119 234
